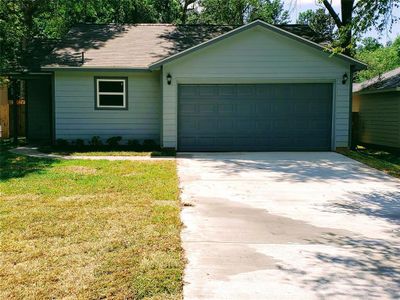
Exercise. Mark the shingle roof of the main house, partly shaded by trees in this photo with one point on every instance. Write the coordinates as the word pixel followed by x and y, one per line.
pixel 139 45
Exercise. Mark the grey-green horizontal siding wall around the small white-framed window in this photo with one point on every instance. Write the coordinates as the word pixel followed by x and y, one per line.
pixel 76 117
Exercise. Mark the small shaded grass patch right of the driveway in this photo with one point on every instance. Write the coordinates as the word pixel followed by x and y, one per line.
pixel 383 160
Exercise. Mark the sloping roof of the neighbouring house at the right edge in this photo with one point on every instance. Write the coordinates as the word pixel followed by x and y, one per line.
pixel 388 80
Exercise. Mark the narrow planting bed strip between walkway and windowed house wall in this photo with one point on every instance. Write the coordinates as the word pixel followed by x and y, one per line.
pixel 105 151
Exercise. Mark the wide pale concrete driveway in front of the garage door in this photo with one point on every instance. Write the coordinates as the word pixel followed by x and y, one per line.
pixel 288 226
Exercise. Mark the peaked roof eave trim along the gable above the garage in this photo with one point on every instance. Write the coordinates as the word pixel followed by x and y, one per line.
pixel 358 65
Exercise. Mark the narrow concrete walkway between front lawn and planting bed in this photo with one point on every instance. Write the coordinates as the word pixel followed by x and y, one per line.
pixel 33 152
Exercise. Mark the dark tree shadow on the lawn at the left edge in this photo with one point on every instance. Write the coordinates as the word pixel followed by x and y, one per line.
pixel 17 166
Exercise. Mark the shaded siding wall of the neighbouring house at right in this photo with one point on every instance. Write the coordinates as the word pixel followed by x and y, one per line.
pixel 379 119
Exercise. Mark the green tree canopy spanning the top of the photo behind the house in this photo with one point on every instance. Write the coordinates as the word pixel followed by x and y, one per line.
pixel 25 22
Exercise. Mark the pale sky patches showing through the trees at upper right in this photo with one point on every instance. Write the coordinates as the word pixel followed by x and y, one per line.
pixel 297 6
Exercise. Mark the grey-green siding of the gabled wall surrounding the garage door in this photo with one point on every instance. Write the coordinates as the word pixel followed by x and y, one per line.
pixel 257 55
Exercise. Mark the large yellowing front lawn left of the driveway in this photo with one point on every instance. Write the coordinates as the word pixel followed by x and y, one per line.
pixel 89 229
